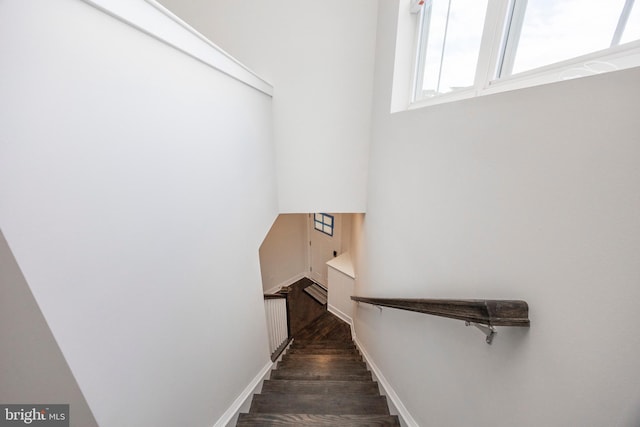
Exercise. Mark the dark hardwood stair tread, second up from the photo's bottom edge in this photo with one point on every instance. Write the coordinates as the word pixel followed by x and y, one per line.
pixel 334 404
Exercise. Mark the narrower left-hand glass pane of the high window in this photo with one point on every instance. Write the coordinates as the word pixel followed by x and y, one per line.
pixel 453 44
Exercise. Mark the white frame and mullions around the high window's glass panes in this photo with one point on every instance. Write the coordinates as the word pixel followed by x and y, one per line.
pixel 494 45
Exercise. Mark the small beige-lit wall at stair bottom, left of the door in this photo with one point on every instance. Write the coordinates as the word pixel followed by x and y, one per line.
pixel 283 254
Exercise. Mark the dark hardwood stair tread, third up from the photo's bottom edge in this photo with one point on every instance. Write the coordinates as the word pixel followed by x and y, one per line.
pixel 319 387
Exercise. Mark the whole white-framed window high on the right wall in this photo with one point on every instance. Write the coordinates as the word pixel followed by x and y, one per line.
pixel 472 47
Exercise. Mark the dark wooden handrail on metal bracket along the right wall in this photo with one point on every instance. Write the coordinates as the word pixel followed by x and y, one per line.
pixel 486 312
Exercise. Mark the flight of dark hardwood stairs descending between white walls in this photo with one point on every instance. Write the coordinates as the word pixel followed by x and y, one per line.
pixel 321 381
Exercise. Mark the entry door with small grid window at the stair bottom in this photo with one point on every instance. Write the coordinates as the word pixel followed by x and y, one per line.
pixel 324 243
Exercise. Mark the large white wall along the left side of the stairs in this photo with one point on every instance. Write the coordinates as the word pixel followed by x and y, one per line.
pixel 136 185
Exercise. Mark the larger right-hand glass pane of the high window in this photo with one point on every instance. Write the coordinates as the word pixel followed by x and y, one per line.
pixel 556 30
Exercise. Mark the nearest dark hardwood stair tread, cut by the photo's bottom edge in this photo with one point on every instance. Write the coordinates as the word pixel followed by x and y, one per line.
pixel 316 420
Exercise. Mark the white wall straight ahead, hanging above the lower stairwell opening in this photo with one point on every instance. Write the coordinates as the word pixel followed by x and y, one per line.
pixel 319 57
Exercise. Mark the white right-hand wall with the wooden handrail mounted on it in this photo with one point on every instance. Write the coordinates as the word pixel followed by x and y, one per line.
pixel 527 195
